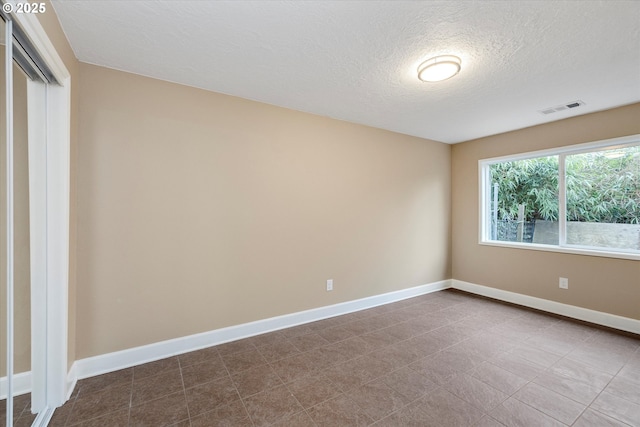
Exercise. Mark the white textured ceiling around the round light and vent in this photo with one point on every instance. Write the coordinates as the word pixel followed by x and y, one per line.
pixel 357 60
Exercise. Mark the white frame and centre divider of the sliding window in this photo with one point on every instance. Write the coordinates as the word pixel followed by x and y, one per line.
pixel 484 192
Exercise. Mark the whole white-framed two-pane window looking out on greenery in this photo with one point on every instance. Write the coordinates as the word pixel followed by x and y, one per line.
pixel 578 199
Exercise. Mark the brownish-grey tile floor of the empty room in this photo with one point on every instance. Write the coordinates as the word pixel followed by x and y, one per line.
pixel 442 359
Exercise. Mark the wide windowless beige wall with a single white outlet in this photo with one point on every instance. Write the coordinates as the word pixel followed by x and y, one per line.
pixel 198 211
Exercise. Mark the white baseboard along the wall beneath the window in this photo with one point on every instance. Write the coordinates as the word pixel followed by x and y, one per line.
pixel 592 316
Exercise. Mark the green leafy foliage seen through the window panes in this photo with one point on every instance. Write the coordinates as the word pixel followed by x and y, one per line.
pixel 601 186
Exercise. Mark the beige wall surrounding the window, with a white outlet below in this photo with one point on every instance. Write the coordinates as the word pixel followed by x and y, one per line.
pixel 597 283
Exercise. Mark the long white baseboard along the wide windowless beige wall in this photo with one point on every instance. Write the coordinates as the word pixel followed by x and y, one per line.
pixel 110 362
